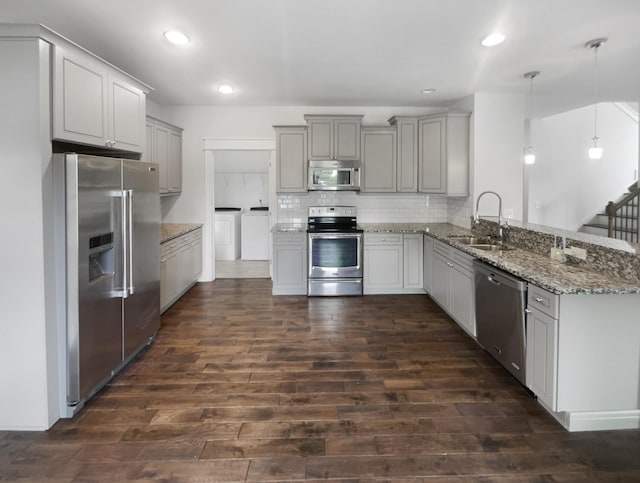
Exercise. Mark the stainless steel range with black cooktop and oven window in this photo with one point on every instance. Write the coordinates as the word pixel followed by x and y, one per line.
pixel 335 251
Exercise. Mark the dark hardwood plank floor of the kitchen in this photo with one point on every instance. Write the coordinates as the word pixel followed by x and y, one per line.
pixel 243 386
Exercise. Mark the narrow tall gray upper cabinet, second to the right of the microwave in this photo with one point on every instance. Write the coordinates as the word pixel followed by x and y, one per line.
pixel 407 153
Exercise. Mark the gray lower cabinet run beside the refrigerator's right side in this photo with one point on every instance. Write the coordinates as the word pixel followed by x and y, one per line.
pixel 180 266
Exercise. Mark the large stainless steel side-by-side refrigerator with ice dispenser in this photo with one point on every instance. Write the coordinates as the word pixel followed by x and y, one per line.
pixel 108 235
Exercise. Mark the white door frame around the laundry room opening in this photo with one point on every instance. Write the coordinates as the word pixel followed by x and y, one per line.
pixel 209 148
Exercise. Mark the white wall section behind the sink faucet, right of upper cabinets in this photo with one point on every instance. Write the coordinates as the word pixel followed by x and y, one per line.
pixel 498 139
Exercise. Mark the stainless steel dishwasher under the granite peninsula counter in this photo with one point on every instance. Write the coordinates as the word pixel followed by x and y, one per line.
pixel 500 316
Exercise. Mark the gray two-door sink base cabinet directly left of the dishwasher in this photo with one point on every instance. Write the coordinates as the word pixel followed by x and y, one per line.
pixel 452 285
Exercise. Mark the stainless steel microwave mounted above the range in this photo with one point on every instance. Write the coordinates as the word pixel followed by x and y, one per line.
pixel 332 175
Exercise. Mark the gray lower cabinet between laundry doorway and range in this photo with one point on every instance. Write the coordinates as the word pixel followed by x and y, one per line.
pixel 290 264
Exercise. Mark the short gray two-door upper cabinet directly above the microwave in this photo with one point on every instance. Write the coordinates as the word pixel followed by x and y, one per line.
pixel 333 137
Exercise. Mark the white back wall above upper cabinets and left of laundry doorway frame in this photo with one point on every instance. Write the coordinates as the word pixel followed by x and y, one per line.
pixel 220 122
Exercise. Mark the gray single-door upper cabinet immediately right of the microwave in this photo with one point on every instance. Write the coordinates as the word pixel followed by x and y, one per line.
pixel 378 151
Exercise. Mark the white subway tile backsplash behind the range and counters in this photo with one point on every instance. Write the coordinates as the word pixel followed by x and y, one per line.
pixel 379 208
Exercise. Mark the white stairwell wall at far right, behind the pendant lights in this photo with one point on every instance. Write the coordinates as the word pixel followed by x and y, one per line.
pixel 566 188
